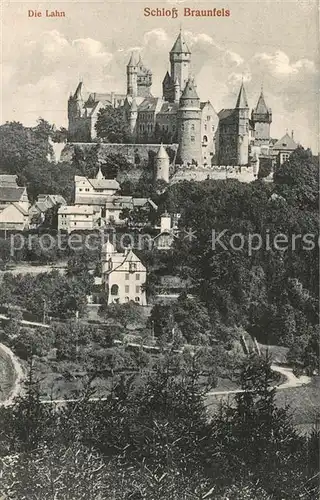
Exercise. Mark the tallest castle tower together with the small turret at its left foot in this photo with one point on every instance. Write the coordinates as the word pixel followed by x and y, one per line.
pixel 180 58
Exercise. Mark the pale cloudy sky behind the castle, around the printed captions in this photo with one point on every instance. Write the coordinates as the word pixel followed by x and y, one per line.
pixel 270 43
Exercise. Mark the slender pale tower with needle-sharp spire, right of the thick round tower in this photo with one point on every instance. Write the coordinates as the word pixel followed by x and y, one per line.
pixel 242 117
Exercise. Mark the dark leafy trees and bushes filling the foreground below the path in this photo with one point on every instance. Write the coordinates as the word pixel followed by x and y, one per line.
pixel 156 442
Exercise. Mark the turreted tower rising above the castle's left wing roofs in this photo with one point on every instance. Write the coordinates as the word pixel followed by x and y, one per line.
pixel 139 78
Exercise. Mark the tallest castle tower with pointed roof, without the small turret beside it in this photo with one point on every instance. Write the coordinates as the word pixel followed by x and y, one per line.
pixel 180 58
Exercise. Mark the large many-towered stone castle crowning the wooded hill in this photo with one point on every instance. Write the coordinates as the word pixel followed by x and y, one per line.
pixel 231 137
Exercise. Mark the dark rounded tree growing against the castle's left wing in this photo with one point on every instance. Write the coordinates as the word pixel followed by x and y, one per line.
pixel 111 125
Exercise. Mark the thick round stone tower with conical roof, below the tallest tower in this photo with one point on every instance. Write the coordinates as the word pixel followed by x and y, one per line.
pixel 189 125
